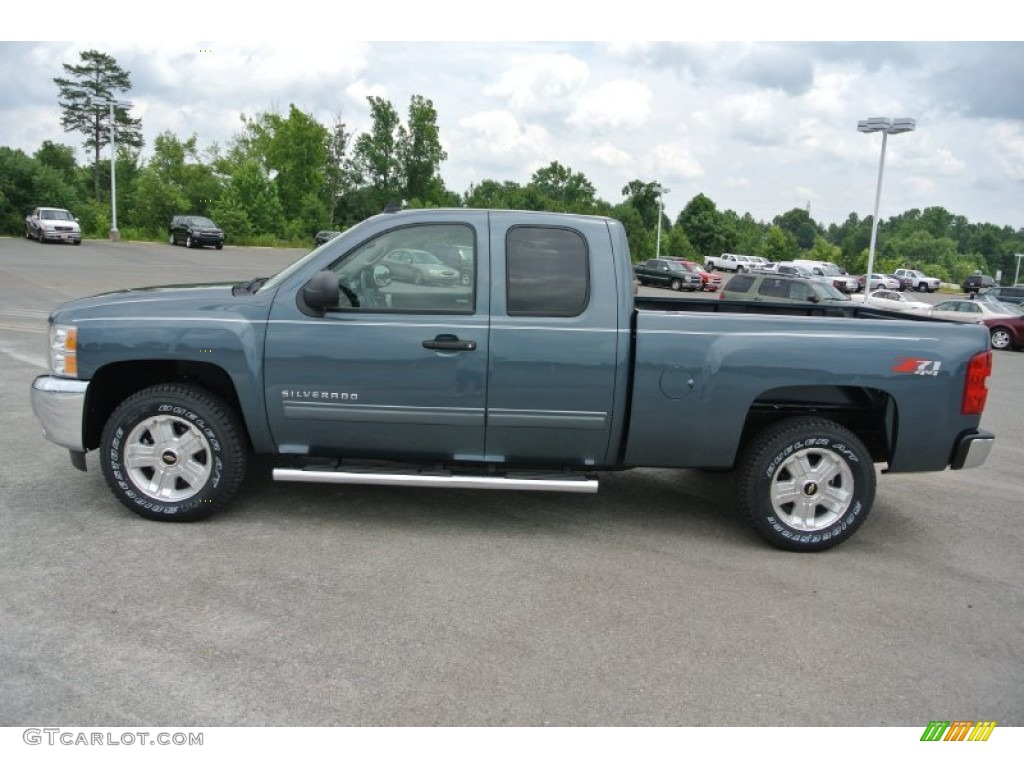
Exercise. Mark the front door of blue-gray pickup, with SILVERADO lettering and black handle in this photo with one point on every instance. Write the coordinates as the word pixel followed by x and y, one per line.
pixel 399 370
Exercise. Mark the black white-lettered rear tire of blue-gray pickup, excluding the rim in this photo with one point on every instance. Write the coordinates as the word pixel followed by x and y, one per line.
pixel 769 453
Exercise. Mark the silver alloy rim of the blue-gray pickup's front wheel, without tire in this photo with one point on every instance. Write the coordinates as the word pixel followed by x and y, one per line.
pixel 168 458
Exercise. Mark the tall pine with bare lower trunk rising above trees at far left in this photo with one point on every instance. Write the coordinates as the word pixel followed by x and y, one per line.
pixel 97 78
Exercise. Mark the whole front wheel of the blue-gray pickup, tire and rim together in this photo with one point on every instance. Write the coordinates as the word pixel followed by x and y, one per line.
pixel 183 439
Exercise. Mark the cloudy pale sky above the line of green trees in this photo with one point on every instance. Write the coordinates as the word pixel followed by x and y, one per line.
pixel 759 127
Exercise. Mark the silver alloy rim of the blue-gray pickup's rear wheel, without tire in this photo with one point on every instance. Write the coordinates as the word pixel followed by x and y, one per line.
pixel 813 490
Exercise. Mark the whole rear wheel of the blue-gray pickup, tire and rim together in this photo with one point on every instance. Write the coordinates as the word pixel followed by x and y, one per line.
pixel 824 466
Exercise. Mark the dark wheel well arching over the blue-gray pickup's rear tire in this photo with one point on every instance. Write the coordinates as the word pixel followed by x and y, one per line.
pixel 870 414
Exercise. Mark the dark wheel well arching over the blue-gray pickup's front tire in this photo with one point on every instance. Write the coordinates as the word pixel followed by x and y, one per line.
pixel 115 383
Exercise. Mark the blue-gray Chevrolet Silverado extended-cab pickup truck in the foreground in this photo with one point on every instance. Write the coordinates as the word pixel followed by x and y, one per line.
pixel 371 362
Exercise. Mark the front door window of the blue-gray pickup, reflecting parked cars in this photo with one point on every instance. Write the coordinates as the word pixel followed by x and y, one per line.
pixel 420 269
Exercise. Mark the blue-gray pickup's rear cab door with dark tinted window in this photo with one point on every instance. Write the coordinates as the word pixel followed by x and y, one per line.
pixel 554 342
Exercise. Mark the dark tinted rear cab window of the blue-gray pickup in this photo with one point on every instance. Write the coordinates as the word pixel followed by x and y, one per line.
pixel 548 272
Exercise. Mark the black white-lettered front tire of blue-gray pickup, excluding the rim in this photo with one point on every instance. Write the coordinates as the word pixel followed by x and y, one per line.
pixel 201 411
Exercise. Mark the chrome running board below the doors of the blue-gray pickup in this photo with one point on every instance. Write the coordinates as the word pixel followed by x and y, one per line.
pixel 375 477
